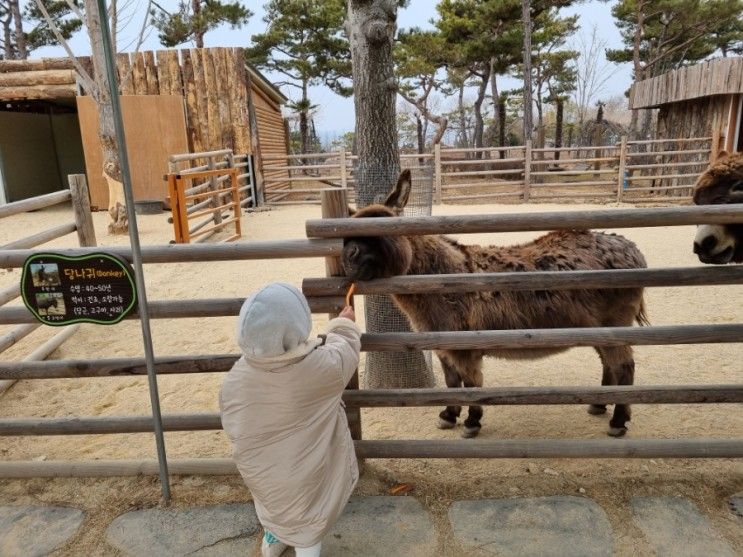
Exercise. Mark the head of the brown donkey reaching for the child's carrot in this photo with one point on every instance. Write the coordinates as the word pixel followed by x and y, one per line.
pixel 366 258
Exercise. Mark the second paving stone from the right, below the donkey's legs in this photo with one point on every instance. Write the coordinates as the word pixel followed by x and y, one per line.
pixel 539 526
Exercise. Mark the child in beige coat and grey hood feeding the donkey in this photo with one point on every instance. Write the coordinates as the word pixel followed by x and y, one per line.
pixel 281 408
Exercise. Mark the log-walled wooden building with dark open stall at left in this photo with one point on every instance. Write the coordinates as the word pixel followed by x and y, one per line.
pixel 173 101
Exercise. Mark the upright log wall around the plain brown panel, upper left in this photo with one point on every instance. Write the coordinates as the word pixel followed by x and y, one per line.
pixel 212 82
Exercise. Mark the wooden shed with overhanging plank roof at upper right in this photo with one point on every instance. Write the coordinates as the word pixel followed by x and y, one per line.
pixel 704 100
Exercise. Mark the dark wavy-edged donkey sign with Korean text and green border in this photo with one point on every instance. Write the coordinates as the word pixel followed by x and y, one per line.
pixel 94 288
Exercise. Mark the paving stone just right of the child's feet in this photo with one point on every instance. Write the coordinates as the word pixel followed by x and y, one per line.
pixel 381 526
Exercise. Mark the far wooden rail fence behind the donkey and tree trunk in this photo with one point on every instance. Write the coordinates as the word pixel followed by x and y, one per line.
pixel 662 171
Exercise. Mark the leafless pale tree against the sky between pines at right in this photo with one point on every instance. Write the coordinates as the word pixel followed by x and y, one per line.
pixel 592 72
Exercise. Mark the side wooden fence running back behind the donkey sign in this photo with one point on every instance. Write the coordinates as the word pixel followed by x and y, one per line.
pixel 82 224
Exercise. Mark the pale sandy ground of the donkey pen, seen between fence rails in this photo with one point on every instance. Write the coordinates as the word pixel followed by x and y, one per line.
pixel 436 482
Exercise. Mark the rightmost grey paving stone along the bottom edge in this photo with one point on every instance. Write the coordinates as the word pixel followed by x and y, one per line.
pixel 674 526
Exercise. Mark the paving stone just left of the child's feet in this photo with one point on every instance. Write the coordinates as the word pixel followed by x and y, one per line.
pixel 204 531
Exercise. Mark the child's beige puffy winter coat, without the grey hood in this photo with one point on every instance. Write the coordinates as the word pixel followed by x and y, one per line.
pixel 290 436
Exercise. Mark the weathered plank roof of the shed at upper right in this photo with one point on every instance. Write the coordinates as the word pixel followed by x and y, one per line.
pixel 720 76
